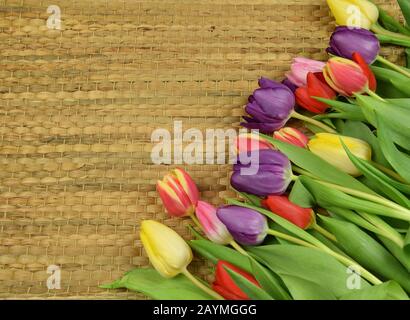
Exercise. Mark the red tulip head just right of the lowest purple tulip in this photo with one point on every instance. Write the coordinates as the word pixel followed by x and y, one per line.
pixel 302 217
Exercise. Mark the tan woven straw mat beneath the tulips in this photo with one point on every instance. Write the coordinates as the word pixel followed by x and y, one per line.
pixel 78 106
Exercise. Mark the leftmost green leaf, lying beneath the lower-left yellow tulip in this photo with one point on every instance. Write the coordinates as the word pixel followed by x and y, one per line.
pixel 149 282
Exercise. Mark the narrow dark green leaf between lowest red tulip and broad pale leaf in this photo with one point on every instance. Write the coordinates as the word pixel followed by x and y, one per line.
pixel 271 283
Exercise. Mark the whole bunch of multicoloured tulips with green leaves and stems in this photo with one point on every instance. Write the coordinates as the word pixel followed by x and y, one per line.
pixel 326 215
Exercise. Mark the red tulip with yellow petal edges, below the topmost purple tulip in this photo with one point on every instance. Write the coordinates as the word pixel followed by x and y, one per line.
pixel 345 76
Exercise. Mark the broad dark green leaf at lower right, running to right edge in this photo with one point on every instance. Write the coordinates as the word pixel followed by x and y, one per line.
pixel 367 251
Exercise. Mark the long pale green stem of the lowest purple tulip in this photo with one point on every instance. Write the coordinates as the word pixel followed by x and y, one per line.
pixel 346 261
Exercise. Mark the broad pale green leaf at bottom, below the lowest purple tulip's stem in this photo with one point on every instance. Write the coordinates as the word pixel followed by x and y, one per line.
pixel 306 263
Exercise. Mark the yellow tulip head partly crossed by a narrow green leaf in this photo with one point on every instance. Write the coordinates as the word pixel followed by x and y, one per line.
pixel 329 147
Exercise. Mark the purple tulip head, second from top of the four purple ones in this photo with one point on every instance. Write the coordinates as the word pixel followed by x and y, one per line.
pixel 270 106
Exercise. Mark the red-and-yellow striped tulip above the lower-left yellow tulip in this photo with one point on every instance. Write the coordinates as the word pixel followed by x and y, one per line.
pixel 178 193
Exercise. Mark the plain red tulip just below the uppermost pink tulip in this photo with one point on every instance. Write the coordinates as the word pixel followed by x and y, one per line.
pixel 316 87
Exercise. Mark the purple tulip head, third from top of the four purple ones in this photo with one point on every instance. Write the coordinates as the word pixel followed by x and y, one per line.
pixel 274 173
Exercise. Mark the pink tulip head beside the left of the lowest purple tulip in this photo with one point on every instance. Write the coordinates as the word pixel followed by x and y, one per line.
pixel 214 229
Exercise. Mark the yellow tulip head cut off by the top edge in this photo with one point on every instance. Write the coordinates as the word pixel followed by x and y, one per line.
pixel 354 13
